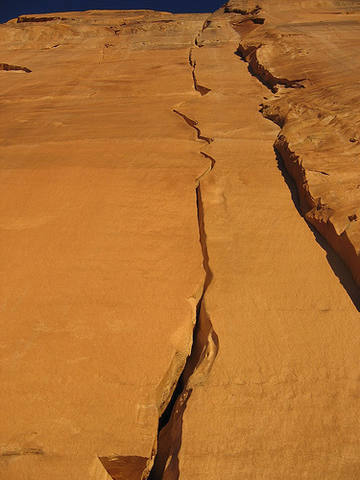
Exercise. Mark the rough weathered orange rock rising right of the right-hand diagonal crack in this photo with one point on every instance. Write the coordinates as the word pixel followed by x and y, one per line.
pixel 311 49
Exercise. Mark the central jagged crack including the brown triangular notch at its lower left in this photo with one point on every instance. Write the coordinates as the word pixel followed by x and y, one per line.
pixel 163 463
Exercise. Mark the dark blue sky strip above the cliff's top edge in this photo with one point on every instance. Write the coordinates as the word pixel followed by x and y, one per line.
pixel 12 8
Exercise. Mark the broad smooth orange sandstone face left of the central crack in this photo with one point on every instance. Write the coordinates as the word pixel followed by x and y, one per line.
pixel 101 263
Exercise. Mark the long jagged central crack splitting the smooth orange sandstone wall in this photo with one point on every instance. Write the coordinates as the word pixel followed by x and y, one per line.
pixel 205 341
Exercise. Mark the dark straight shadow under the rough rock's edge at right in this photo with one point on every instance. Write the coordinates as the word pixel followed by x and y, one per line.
pixel 337 265
